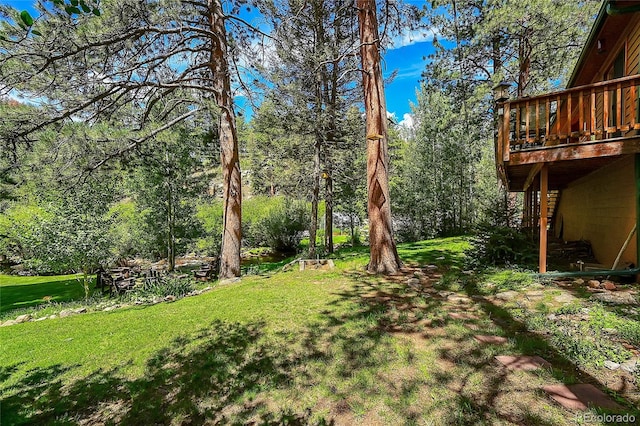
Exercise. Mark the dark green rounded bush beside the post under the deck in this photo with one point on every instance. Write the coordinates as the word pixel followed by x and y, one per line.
pixel 501 246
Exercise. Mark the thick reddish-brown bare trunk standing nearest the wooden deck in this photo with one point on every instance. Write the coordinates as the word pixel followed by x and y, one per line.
pixel 384 255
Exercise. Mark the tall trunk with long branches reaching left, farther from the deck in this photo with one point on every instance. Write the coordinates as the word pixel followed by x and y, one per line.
pixel 232 184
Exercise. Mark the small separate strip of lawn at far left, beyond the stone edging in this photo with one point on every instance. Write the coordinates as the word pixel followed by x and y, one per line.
pixel 24 292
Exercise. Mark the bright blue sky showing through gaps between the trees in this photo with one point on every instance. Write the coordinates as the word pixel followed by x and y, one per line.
pixel 407 59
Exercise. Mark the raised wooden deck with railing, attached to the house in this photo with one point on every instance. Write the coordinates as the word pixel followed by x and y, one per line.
pixel 595 124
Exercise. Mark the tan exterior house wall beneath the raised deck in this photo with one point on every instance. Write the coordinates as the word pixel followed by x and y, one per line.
pixel 600 208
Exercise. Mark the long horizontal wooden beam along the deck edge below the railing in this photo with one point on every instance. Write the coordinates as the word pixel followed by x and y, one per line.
pixel 576 151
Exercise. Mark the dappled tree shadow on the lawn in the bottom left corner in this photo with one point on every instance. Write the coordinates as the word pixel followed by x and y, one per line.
pixel 209 378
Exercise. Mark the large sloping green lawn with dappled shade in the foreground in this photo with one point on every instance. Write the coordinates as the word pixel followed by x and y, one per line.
pixel 291 347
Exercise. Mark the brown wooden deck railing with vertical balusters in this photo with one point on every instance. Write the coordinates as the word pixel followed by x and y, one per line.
pixel 593 112
